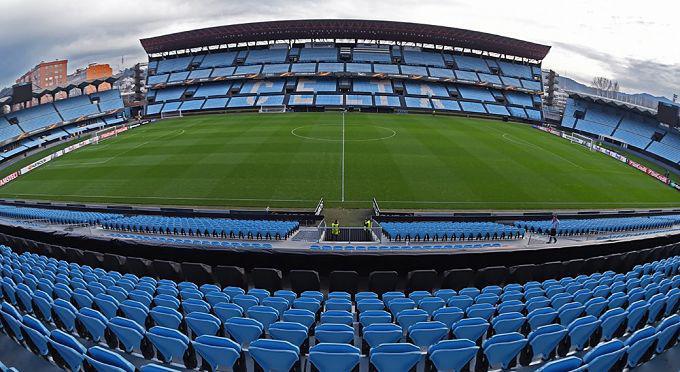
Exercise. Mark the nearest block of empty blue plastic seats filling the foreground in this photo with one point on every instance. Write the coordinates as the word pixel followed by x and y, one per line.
pixel 82 317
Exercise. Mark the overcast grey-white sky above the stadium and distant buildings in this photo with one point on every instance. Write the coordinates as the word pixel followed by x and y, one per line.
pixel 634 42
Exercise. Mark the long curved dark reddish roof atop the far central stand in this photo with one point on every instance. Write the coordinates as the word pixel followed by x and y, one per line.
pixel 345 29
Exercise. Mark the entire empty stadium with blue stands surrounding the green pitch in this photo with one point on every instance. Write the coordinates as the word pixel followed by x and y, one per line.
pixel 337 195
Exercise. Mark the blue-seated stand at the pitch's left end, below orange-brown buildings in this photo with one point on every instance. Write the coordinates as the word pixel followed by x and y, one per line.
pixel 26 129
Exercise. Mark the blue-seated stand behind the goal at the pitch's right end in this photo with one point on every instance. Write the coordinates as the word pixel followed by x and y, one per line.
pixel 633 126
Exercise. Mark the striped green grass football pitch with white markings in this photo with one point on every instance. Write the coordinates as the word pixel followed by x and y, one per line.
pixel 292 160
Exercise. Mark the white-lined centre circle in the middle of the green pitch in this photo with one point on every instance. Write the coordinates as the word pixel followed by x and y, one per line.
pixel 333 132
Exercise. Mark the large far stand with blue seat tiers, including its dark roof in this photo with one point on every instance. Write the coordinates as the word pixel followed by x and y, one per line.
pixel 309 65
